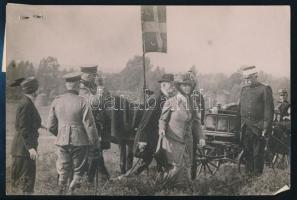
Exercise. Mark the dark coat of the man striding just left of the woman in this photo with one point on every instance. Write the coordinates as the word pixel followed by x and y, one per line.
pixel 147 130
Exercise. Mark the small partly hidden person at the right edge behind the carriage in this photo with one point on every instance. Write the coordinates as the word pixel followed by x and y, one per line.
pixel 283 105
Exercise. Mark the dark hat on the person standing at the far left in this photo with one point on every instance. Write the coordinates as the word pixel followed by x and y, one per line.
pixel 29 85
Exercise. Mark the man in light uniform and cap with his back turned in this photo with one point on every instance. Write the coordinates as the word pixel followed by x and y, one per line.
pixel 71 120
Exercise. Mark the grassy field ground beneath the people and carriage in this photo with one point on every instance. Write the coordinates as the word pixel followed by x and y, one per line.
pixel 227 181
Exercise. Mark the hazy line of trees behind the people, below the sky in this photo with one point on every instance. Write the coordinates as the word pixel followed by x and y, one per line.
pixel 216 87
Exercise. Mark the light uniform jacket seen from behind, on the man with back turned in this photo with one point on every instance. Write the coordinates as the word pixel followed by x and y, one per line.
pixel 71 120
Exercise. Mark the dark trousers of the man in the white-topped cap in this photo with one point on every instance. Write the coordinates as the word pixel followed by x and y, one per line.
pixel 254 146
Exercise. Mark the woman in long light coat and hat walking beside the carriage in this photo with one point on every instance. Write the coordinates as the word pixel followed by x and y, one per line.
pixel 180 128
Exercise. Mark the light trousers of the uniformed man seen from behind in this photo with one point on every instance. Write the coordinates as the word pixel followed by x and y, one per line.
pixel 71 162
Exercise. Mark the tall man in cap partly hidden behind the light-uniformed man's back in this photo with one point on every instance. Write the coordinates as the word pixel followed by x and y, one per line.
pixel 88 90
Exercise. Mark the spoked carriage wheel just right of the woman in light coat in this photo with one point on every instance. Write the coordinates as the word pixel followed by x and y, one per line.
pixel 207 160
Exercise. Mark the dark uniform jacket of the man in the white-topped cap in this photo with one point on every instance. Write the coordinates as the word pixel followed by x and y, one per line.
pixel 256 107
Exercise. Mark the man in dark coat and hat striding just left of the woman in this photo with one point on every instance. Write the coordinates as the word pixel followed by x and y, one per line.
pixel 147 132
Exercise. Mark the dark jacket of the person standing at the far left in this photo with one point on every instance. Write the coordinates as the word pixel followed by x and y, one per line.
pixel 27 123
